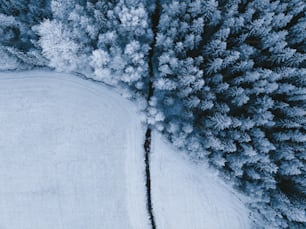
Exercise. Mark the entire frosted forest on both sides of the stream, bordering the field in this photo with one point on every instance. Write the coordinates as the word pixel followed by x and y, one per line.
pixel 224 80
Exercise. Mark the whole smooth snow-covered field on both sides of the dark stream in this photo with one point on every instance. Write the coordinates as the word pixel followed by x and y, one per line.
pixel 71 157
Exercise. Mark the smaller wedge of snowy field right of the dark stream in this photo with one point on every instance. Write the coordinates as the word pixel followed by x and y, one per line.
pixel 189 195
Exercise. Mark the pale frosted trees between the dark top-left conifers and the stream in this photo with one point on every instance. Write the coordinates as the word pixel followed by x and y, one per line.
pixel 106 40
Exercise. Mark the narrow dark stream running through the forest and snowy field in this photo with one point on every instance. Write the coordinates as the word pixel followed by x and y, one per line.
pixel 147 144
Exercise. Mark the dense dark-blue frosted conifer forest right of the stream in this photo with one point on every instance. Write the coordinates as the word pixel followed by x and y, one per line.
pixel 231 87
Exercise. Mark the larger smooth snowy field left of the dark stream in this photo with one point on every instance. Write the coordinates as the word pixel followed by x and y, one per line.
pixel 71 155
